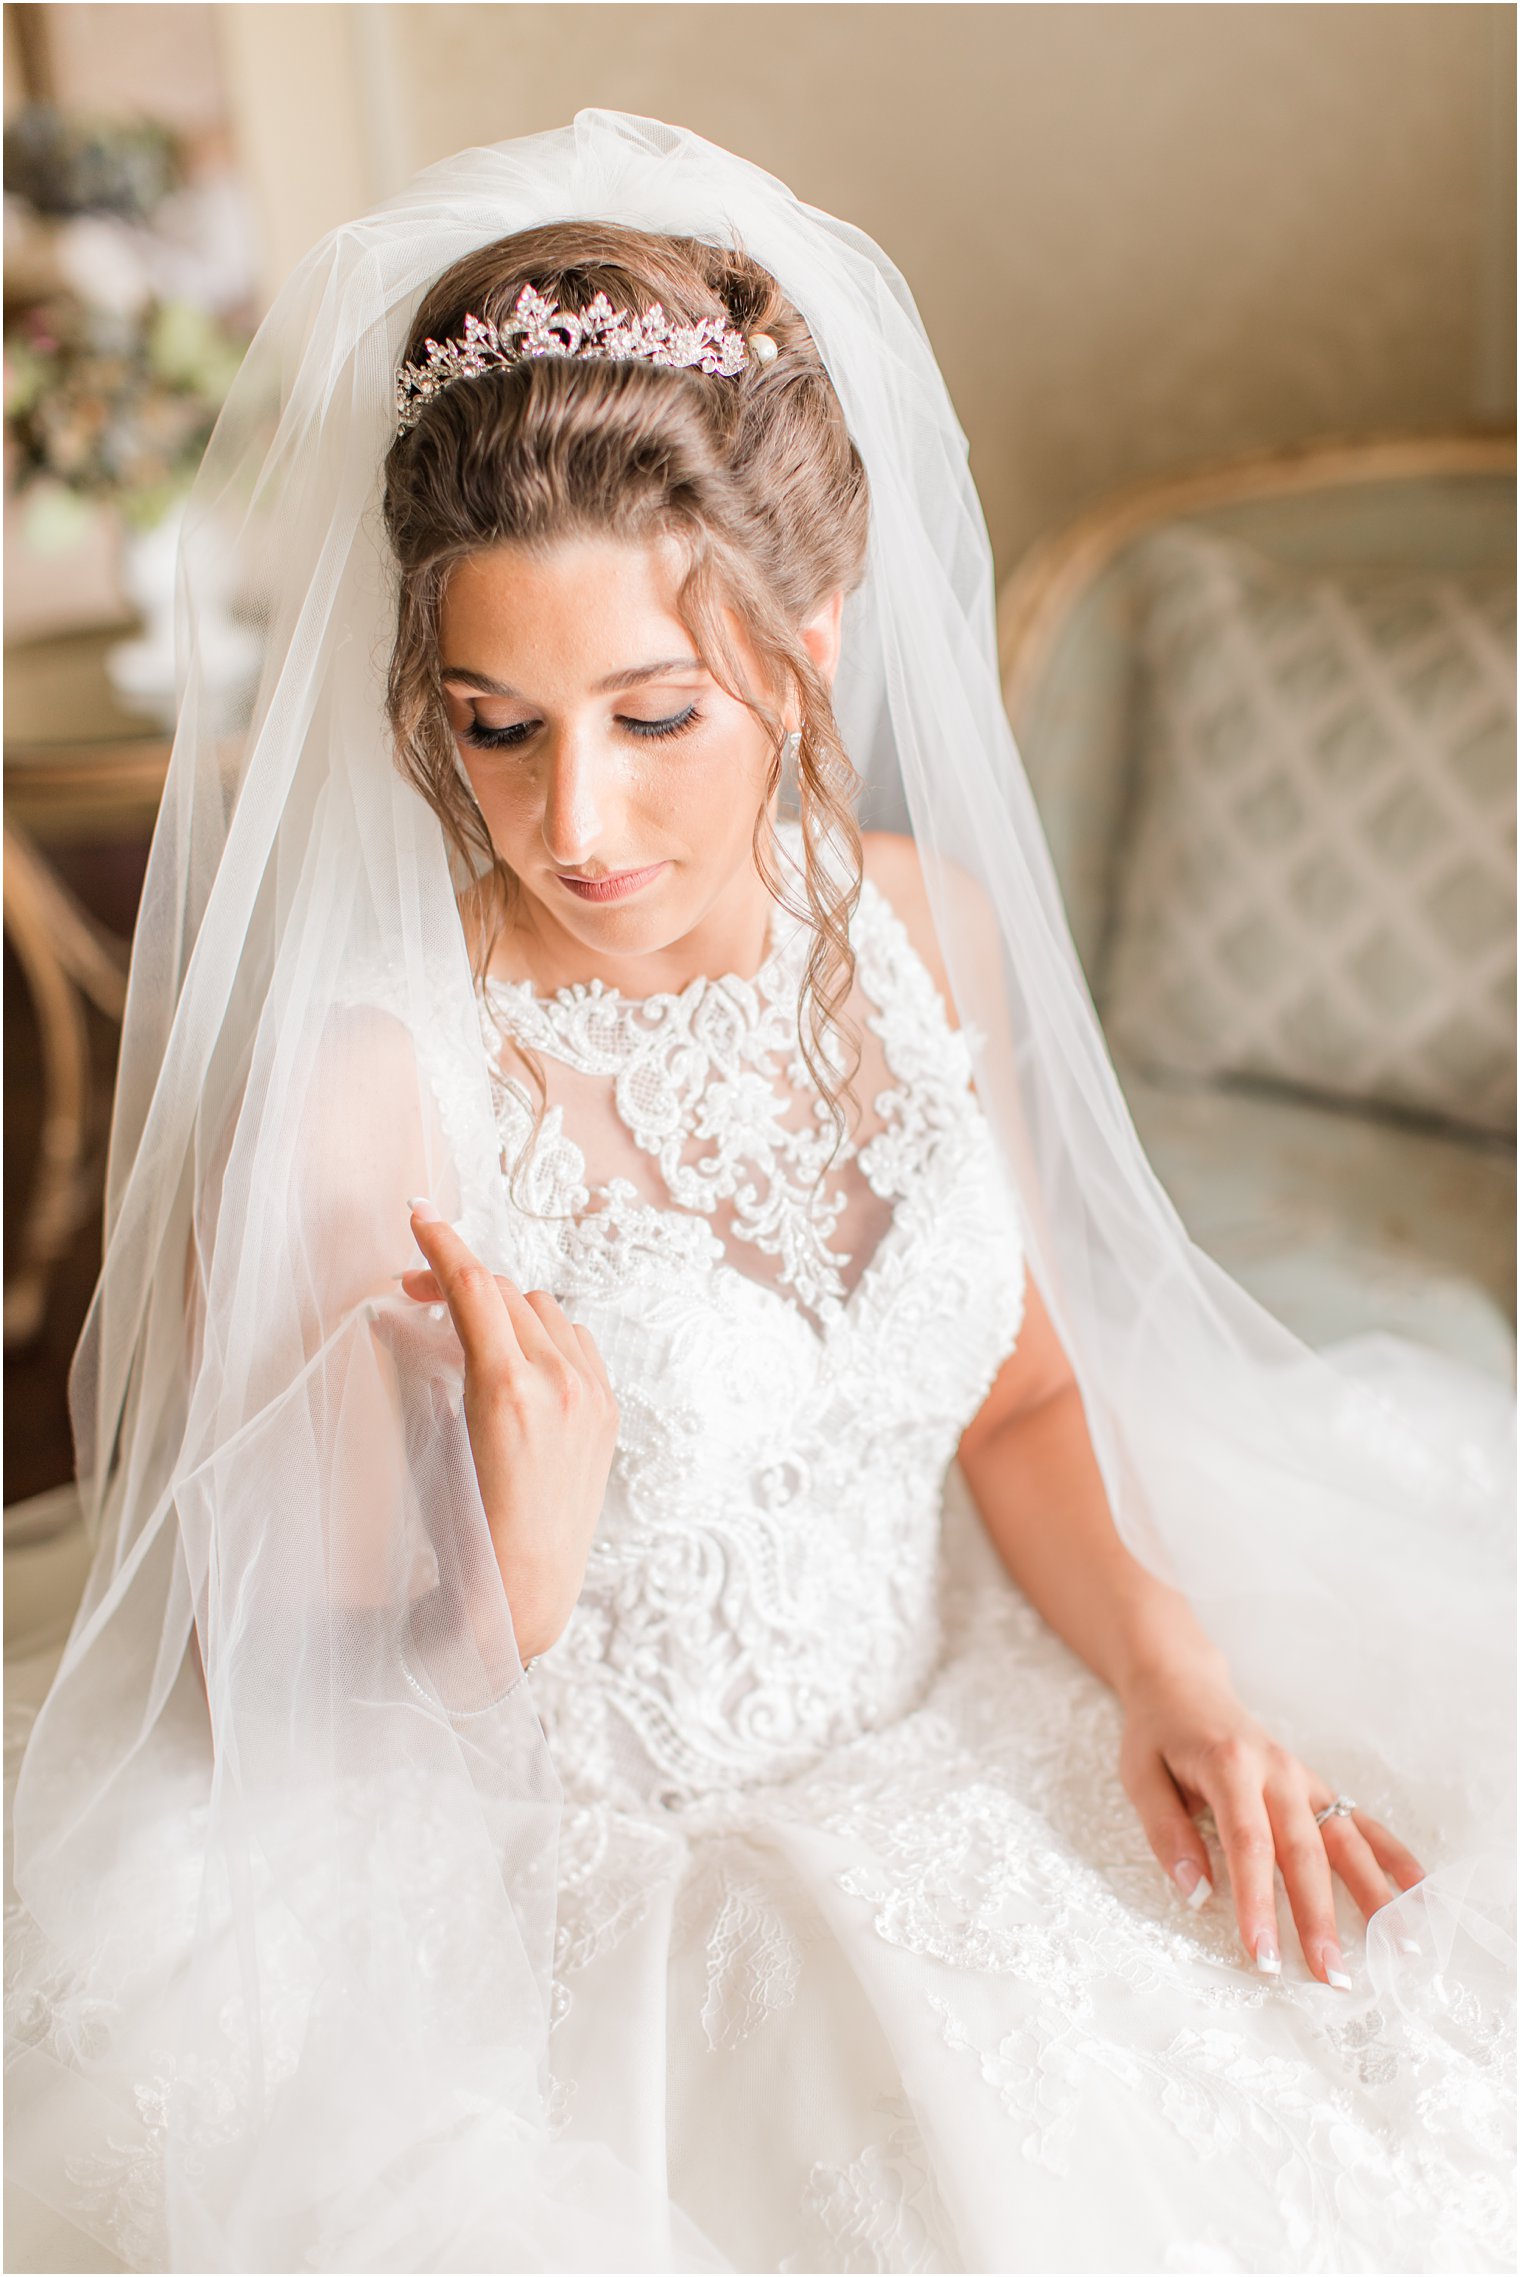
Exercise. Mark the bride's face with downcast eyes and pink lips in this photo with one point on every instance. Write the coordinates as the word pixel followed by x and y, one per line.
pixel 600 746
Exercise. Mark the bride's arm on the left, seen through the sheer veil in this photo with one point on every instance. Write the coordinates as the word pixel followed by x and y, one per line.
pixel 402 1543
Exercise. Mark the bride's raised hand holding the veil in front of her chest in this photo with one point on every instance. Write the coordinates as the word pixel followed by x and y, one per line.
pixel 540 1417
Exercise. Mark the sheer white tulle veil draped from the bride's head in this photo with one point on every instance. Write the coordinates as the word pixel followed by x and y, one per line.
pixel 290 1994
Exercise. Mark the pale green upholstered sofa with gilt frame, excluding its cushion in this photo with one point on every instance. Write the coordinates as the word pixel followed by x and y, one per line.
pixel 1341 1215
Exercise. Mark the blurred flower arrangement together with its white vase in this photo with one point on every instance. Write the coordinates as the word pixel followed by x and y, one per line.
pixel 129 306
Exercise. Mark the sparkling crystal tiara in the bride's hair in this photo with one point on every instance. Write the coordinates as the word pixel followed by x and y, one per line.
pixel 600 331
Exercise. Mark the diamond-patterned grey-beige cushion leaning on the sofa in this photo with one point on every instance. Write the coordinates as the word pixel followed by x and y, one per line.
pixel 1316 873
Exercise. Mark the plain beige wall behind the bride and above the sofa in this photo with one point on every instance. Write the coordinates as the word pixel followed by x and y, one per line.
pixel 1139 236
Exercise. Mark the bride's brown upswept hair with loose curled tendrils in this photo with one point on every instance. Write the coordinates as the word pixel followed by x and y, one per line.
pixel 757 477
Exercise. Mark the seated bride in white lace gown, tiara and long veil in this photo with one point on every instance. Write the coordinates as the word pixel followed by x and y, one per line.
pixel 711 1645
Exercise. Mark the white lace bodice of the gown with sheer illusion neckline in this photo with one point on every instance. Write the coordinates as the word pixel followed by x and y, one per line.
pixel 793 1372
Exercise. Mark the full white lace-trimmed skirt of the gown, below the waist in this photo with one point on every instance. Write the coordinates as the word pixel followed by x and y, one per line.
pixel 936 2007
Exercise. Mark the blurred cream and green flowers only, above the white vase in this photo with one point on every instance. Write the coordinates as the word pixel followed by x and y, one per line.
pixel 124 320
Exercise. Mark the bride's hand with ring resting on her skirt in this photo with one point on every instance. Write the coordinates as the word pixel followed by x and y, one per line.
pixel 1191 1745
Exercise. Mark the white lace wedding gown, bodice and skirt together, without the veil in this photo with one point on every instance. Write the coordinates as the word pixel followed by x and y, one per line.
pixel 861 1946
